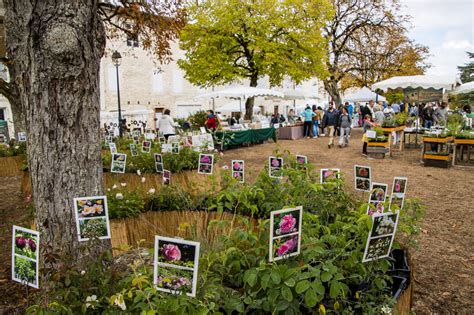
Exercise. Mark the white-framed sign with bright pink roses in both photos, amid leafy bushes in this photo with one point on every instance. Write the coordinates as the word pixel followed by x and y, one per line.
pixel 285 233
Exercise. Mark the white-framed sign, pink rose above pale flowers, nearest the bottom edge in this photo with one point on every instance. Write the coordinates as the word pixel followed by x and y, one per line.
pixel 176 264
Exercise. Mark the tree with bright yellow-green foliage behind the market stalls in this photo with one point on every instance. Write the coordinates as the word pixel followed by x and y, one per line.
pixel 231 40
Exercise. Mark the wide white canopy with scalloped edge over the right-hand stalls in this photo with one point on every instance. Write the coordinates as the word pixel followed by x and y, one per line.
pixel 418 81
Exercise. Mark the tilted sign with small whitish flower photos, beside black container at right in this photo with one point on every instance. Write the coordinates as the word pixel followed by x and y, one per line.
pixel 381 236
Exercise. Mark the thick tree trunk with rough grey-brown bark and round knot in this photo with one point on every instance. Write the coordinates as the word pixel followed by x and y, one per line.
pixel 56 46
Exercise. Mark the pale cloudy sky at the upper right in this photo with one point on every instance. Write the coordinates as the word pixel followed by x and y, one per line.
pixel 446 27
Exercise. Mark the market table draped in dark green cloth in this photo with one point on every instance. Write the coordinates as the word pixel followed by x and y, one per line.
pixel 229 138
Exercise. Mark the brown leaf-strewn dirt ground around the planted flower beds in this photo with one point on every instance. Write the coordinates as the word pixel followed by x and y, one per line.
pixel 443 262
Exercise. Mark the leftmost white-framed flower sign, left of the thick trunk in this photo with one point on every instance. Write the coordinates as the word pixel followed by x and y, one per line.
pixel 25 256
